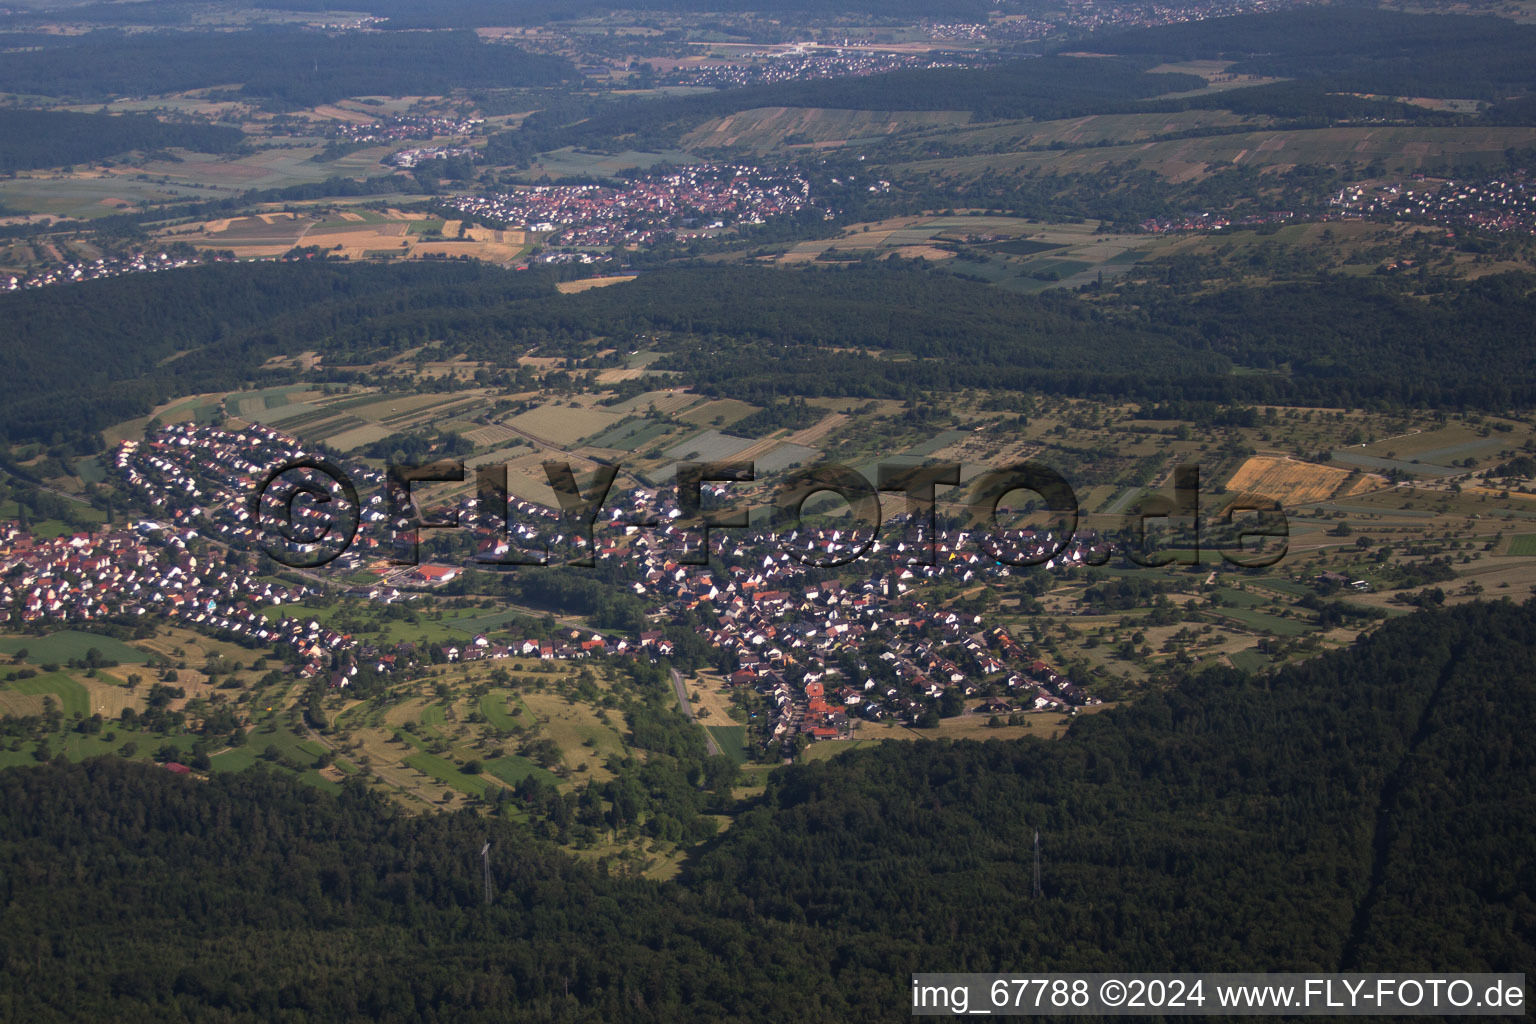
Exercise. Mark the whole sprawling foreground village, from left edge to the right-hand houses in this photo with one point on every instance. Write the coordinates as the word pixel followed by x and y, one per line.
pixel 821 649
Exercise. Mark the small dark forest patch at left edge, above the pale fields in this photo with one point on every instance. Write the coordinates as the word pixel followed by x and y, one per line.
pixel 53 139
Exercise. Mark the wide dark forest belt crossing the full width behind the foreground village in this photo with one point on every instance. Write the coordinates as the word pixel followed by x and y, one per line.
pixel 767 334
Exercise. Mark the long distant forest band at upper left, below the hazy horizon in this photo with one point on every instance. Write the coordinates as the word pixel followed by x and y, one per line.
pixel 285 68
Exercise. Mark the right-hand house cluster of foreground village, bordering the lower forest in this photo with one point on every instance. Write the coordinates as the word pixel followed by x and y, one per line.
pixel 826 649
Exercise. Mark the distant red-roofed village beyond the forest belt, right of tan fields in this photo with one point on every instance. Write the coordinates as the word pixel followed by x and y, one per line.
pixel 650 210
